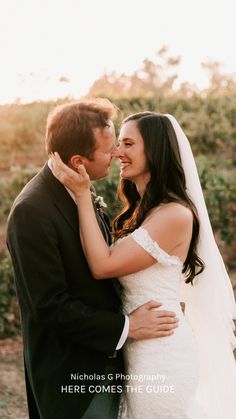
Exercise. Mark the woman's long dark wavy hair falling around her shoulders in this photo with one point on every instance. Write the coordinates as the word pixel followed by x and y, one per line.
pixel 167 184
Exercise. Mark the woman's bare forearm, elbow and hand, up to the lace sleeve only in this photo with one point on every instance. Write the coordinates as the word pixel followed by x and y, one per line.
pixel 104 261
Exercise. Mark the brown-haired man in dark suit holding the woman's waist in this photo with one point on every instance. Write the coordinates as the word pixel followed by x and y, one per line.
pixel 72 325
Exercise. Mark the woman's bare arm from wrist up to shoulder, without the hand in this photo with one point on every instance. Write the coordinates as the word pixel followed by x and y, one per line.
pixel 127 256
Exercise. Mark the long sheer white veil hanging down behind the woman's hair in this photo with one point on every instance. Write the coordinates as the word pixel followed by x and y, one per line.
pixel 209 304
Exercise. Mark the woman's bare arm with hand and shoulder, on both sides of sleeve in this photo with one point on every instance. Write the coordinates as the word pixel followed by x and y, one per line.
pixel 127 256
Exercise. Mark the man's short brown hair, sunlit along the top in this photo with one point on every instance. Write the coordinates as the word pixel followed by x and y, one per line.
pixel 69 129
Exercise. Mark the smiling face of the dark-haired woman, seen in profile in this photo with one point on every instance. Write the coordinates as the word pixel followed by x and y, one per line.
pixel 133 161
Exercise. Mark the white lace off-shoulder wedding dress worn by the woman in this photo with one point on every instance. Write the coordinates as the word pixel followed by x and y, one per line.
pixel 162 373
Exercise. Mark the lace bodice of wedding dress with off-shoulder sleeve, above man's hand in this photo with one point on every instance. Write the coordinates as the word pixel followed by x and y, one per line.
pixel 161 281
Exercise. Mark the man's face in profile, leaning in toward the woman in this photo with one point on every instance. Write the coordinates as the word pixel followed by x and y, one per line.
pixel 98 165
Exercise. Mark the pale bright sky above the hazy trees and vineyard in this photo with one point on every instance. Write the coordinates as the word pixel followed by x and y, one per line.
pixel 43 40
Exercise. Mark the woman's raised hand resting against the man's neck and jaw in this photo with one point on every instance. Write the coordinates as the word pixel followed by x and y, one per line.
pixel 78 182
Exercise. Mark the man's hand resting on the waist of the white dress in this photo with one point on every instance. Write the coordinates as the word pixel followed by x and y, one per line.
pixel 146 323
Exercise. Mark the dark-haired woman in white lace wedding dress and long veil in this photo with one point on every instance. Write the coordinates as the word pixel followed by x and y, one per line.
pixel 164 248
